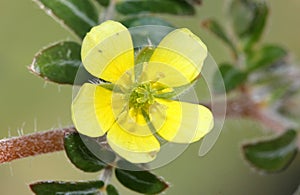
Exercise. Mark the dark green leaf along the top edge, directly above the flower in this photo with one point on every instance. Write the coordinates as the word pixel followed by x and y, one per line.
pixel 176 7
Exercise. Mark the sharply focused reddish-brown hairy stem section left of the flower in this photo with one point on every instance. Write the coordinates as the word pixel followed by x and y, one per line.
pixel 33 144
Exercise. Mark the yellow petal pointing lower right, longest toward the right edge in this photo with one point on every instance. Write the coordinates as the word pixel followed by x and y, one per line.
pixel 185 122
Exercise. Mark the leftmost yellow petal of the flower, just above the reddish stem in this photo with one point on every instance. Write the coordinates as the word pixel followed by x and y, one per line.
pixel 91 110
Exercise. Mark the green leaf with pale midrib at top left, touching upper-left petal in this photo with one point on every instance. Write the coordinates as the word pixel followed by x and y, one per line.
pixel 79 16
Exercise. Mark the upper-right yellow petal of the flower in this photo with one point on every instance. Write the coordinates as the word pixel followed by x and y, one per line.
pixel 183 51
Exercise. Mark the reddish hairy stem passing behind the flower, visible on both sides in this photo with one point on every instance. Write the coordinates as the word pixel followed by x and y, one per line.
pixel 52 141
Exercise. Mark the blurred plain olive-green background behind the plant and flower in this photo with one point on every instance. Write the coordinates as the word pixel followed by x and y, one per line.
pixel 27 104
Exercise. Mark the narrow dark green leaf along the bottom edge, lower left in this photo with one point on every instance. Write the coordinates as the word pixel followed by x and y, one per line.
pixel 74 188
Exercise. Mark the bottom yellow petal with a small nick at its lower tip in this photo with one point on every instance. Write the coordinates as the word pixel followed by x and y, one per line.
pixel 136 149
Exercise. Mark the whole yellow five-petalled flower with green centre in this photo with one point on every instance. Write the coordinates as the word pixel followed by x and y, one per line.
pixel 135 109
